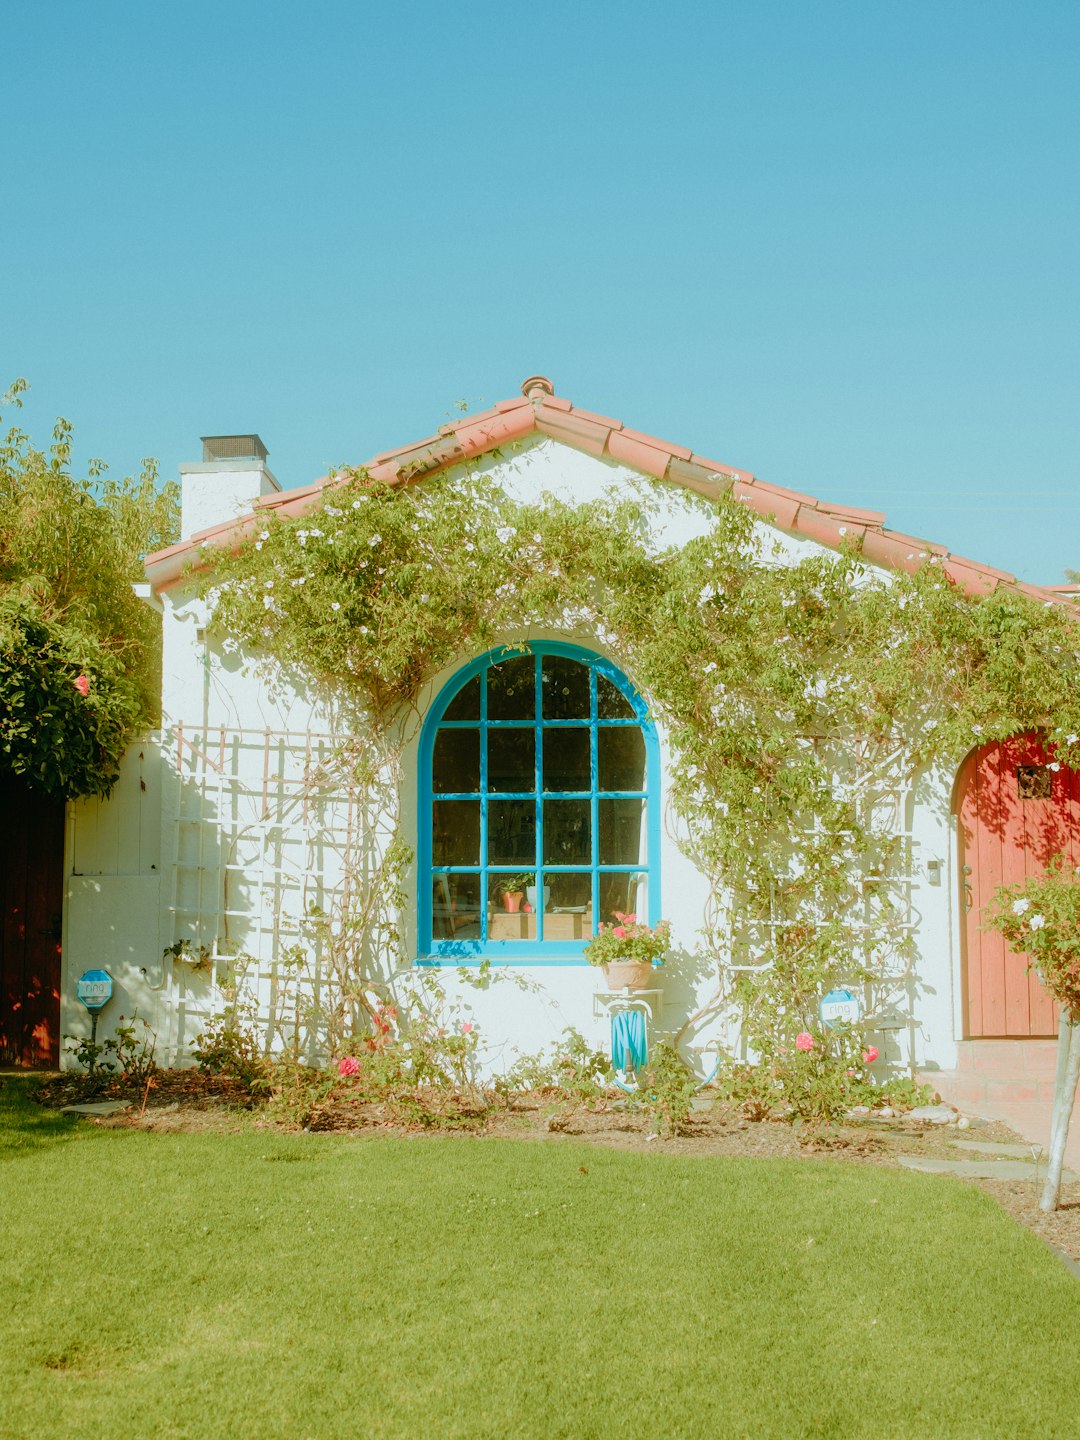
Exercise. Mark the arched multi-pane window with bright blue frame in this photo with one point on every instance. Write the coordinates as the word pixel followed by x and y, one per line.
pixel 539 809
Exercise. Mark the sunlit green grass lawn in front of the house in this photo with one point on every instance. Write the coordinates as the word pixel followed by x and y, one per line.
pixel 312 1287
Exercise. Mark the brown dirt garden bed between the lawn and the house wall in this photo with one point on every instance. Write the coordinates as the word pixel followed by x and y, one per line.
pixel 182 1101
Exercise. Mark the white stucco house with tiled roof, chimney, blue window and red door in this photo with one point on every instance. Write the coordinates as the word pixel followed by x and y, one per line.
pixel 218 836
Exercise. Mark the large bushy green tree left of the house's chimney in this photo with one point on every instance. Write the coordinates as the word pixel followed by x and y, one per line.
pixel 80 653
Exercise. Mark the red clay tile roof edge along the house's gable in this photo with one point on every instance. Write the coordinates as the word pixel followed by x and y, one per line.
pixel 542 413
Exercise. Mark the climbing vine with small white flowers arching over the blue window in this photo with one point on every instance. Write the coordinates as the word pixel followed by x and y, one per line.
pixel 800 696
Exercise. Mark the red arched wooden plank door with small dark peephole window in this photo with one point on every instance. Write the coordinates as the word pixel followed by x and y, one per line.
pixel 1014 816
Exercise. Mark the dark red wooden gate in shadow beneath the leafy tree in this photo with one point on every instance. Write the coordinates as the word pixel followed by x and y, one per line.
pixel 31 908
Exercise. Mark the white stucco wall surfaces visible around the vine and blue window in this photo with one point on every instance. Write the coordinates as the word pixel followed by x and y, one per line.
pixel 189 846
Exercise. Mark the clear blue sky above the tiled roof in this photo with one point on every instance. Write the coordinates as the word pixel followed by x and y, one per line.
pixel 837 244
